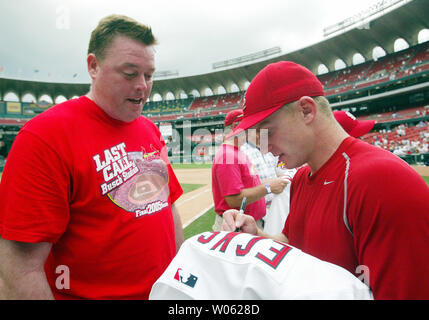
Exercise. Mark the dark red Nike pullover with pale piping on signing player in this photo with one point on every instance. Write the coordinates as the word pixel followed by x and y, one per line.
pixel 365 207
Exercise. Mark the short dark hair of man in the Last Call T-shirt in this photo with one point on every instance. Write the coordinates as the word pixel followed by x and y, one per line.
pixel 115 25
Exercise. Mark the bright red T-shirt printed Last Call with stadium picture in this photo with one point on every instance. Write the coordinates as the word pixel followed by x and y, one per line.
pixel 101 191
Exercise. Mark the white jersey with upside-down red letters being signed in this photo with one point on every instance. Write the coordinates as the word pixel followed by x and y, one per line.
pixel 236 266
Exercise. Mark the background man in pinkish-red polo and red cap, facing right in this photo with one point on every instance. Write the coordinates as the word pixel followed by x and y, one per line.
pixel 234 177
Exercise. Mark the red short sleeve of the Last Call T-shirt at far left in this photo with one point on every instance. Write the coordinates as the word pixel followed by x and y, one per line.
pixel 34 192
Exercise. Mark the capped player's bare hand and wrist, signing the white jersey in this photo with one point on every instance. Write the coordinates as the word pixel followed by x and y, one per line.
pixel 232 219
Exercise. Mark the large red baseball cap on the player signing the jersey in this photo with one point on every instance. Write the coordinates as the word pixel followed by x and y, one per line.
pixel 275 85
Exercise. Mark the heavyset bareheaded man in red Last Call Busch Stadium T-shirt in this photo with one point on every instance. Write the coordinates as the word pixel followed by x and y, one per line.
pixel 87 195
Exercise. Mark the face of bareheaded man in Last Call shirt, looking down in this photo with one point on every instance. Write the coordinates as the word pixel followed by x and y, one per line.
pixel 122 81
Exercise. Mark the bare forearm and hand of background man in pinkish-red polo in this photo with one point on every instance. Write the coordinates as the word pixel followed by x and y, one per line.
pixel 255 193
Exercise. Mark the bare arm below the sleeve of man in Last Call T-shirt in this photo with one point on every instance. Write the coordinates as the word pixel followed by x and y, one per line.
pixel 22 274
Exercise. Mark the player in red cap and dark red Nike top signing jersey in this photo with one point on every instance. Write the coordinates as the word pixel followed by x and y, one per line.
pixel 354 205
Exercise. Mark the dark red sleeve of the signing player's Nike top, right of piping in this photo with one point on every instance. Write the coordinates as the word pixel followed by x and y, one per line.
pixel 389 218
